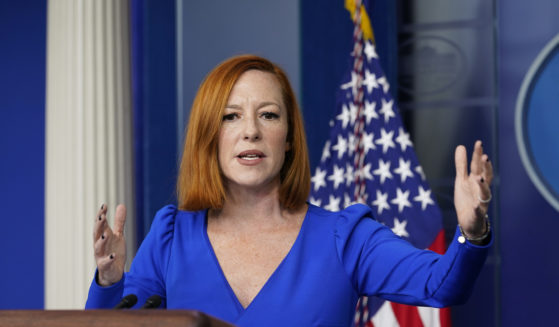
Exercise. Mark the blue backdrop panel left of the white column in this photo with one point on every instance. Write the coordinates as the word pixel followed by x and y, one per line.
pixel 22 152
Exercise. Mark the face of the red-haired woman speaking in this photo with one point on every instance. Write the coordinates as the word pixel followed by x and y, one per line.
pixel 253 135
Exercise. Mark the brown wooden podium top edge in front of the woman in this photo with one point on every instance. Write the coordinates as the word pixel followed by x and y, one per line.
pixel 108 318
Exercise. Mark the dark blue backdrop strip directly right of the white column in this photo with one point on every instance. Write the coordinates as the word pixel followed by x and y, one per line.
pixel 154 106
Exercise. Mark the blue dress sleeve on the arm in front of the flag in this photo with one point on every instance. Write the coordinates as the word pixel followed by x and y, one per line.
pixel 380 263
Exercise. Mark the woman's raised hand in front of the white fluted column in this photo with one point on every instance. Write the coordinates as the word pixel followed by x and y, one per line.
pixel 109 246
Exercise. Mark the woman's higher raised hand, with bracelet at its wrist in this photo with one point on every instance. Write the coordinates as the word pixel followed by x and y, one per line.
pixel 472 192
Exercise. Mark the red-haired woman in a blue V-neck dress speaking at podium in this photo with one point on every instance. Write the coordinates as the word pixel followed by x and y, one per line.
pixel 245 246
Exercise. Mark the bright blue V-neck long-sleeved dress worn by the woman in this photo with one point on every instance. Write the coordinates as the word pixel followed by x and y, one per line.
pixel 337 257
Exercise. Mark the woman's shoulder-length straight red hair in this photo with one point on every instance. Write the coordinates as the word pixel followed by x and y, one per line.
pixel 200 183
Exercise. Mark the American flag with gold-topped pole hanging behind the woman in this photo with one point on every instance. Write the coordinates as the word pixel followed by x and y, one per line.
pixel 370 159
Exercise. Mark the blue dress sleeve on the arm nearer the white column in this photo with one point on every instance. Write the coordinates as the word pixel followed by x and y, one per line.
pixel 149 267
